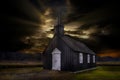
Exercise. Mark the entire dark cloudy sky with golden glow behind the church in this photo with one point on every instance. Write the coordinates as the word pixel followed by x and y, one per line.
pixel 27 25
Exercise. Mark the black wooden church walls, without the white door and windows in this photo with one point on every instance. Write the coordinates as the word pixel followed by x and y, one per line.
pixel 69 57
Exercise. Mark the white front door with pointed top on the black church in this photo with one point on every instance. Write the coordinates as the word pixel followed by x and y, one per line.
pixel 56 59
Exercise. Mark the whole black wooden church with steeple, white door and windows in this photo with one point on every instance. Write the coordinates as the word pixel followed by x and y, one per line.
pixel 67 54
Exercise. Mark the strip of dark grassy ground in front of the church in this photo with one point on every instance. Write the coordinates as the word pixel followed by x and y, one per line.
pixel 37 73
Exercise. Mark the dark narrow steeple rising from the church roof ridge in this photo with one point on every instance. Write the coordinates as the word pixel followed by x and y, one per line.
pixel 59 27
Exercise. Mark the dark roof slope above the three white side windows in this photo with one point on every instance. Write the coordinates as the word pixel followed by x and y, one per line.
pixel 76 45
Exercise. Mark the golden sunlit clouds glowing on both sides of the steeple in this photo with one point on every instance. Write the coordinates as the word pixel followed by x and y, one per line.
pixel 73 23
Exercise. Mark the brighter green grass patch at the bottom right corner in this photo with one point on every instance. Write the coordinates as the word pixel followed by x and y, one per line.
pixel 101 73
